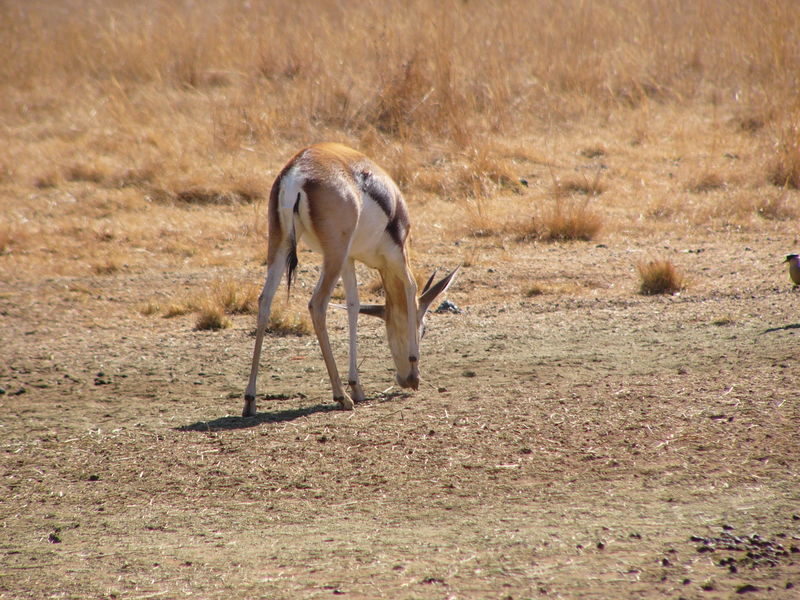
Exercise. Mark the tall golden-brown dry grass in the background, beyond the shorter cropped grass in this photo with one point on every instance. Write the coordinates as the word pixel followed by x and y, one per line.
pixel 448 72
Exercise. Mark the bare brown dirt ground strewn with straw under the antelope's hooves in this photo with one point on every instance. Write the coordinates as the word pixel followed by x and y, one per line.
pixel 593 444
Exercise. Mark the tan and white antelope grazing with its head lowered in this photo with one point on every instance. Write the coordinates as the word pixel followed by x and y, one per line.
pixel 347 208
